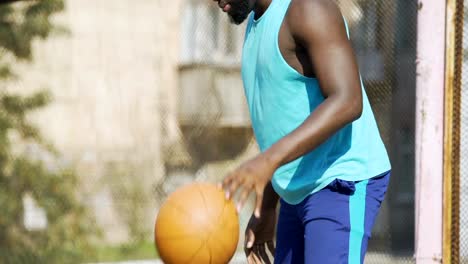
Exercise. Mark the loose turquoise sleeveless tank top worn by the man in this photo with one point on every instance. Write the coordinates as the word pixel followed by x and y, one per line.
pixel 280 99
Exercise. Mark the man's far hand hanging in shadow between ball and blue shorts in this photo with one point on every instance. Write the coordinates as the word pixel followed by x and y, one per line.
pixel 259 236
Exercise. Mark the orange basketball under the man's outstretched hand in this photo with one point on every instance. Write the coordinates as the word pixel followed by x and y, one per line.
pixel 196 224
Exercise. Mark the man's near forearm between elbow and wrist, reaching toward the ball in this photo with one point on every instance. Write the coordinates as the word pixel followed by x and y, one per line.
pixel 332 115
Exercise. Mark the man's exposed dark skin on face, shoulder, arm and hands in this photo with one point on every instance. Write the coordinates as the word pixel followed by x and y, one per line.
pixel 313 41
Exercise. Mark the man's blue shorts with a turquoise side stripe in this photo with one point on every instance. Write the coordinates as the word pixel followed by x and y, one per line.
pixel 331 226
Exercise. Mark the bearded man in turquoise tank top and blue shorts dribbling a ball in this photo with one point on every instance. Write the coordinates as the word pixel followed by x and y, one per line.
pixel 321 152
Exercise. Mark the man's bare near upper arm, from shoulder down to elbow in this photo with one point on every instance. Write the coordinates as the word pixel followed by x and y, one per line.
pixel 318 26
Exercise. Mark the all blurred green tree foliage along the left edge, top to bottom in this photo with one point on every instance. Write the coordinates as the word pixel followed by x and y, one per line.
pixel 53 188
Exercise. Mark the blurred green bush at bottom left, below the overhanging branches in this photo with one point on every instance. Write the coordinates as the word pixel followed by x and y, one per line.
pixel 65 239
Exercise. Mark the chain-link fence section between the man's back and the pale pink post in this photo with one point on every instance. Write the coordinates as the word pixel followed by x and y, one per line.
pixel 384 38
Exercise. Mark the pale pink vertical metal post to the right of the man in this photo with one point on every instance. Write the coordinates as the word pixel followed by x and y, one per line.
pixel 429 130
